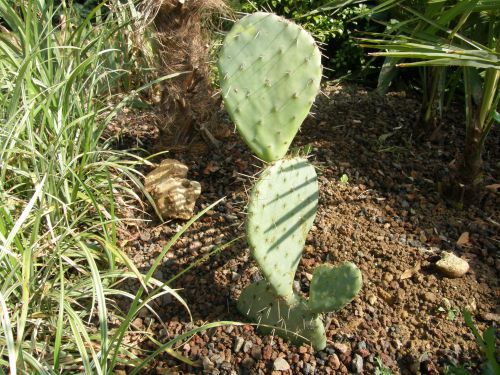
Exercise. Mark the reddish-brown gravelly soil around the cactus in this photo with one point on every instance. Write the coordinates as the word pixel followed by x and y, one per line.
pixel 388 218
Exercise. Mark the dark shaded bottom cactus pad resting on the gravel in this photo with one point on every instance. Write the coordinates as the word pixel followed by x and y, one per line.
pixel 292 318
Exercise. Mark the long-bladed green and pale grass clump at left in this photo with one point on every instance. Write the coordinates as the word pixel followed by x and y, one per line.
pixel 60 265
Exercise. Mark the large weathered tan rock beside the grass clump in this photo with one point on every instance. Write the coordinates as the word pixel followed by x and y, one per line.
pixel 174 195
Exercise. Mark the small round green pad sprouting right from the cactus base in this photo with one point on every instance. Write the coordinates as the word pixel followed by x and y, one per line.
pixel 333 287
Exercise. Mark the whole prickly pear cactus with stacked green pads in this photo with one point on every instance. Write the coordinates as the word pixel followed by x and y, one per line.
pixel 270 73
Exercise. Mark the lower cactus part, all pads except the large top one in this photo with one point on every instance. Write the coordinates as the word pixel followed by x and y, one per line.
pixel 281 211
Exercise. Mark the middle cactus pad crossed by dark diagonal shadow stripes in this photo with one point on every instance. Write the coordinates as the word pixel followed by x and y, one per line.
pixel 281 211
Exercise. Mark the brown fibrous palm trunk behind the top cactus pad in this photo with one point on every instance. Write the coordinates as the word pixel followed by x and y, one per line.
pixel 183 46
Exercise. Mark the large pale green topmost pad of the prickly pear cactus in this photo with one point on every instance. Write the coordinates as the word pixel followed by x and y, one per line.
pixel 270 72
